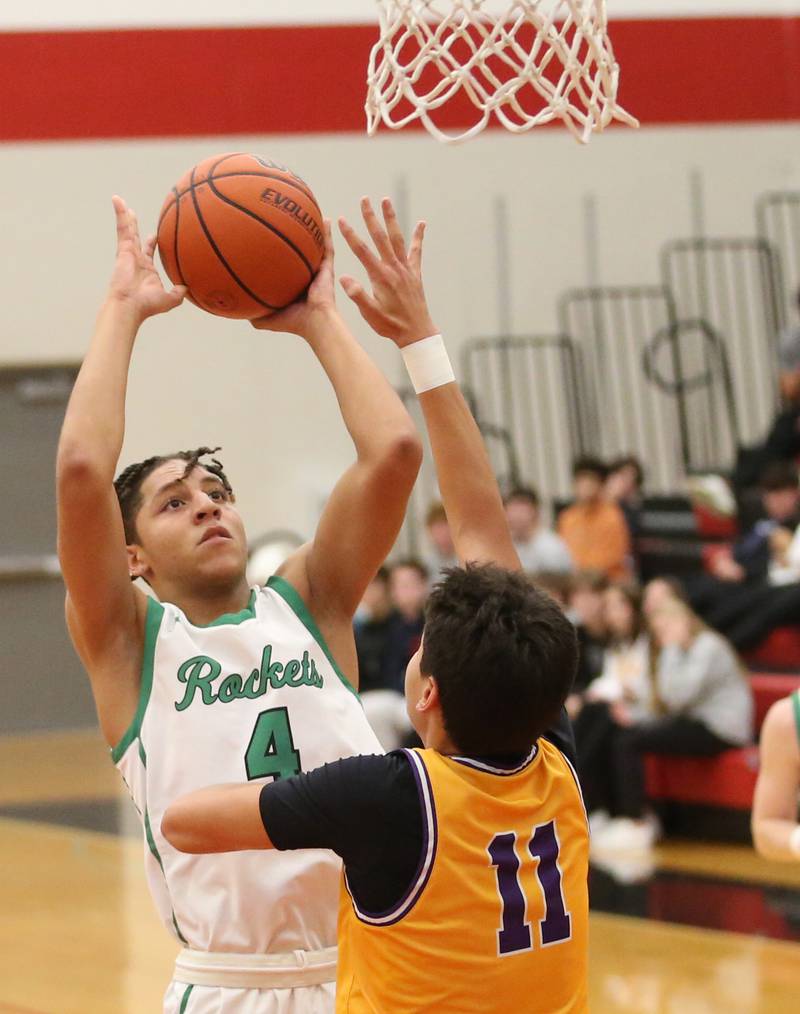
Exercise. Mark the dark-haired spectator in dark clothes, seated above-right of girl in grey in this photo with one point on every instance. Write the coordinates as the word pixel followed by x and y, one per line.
pixel 752 589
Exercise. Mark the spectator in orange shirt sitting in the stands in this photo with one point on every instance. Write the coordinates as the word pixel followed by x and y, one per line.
pixel 594 529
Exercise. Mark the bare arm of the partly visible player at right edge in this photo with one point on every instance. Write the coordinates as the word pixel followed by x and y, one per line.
pixel 776 832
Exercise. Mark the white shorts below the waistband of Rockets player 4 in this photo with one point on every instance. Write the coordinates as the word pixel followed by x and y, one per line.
pixel 183 999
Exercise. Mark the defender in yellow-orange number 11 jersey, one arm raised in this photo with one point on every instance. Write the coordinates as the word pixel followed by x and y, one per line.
pixel 466 862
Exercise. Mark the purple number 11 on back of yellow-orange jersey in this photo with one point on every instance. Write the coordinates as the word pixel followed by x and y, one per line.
pixel 515 934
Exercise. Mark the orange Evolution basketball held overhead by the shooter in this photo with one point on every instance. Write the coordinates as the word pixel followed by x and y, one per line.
pixel 244 234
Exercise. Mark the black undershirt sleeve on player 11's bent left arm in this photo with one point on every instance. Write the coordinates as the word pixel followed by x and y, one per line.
pixel 367 810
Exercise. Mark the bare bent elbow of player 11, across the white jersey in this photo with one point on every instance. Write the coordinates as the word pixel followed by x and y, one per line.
pixel 220 819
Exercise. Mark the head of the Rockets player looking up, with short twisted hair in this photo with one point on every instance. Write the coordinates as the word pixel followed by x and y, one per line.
pixel 181 525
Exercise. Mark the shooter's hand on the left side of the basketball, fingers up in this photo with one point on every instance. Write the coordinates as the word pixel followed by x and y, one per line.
pixel 135 279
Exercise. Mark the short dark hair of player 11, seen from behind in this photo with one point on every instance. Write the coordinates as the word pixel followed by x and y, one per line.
pixel 503 656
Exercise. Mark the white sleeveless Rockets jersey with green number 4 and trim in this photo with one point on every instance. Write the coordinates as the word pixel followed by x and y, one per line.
pixel 254 696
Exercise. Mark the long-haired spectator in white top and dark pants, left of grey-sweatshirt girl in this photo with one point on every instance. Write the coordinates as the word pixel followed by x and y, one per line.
pixel 621 696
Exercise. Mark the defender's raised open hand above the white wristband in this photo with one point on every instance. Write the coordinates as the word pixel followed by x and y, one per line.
pixel 397 308
